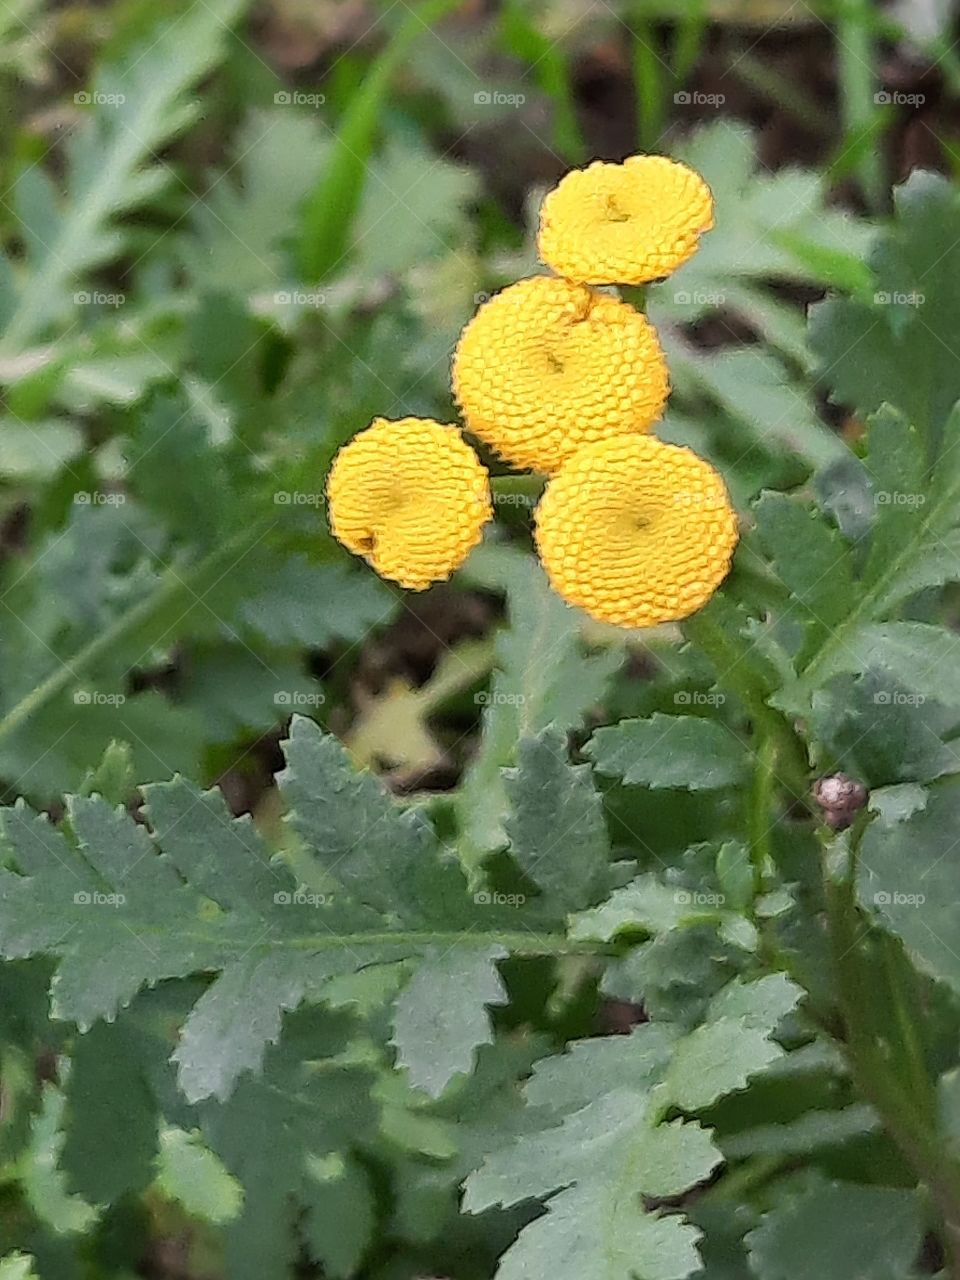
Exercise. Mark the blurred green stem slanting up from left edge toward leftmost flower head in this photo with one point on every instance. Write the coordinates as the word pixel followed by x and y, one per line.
pixel 172 586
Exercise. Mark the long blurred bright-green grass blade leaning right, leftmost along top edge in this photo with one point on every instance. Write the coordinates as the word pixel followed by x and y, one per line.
pixel 332 208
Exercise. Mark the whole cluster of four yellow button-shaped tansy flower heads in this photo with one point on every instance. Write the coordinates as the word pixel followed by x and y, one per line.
pixel 560 378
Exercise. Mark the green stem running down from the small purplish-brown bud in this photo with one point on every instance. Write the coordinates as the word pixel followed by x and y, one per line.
pixel 907 1117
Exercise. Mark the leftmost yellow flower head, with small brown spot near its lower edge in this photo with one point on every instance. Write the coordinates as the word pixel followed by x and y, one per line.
pixel 412 497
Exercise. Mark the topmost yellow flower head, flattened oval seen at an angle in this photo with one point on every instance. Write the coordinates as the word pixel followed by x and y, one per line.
pixel 624 223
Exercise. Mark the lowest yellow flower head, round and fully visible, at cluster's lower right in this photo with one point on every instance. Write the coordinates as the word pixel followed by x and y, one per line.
pixel 637 532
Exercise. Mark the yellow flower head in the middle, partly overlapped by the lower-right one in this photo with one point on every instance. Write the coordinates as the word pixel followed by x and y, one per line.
pixel 548 365
